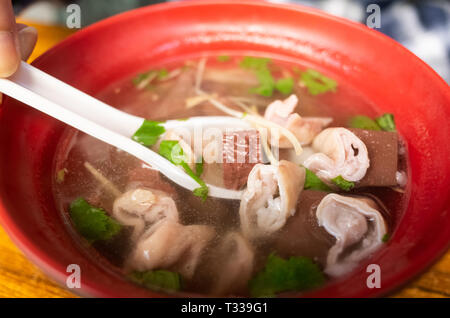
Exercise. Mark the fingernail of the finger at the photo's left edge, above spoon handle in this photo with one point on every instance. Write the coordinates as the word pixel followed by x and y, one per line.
pixel 9 54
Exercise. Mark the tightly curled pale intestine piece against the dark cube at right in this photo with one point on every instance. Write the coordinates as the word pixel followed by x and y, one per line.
pixel 339 153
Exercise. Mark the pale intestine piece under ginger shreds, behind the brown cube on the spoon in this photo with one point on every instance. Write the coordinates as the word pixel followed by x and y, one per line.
pixel 303 128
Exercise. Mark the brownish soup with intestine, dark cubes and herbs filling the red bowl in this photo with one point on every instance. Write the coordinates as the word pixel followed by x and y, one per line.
pixel 321 182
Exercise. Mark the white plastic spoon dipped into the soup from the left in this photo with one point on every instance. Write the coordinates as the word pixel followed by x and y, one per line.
pixel 93 117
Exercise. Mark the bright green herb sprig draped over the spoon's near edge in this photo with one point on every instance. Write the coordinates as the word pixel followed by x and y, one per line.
pixel 172 151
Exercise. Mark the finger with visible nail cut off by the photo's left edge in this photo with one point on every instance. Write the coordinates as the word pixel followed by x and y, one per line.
pixel 9 52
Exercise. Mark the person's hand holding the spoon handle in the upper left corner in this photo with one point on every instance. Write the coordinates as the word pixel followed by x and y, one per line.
pixel 16 40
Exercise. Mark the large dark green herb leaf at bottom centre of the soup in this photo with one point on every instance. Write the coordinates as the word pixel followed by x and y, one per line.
pixel 279 275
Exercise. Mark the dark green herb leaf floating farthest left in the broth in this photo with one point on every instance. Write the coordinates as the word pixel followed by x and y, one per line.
pixel 91 222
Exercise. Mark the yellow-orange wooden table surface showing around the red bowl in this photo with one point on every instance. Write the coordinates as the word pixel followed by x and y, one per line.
pixel 20 278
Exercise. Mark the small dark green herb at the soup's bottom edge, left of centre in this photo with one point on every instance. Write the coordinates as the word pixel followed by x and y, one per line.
pixel 158 279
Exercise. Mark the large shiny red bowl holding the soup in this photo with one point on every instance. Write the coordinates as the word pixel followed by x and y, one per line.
pixel 390 76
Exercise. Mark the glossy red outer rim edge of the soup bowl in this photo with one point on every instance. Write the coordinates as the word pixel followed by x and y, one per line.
pixel 53 269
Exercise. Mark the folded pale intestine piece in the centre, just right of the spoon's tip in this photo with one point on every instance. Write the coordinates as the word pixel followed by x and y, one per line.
pixel 270 197
